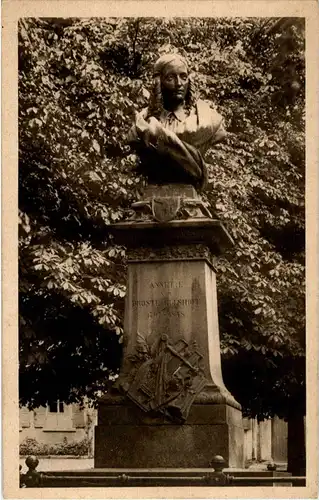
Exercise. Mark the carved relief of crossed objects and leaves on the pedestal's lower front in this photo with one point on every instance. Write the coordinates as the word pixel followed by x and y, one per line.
pixel 164 377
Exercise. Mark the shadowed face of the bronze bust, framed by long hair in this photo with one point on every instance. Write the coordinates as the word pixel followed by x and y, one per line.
pixel 174 81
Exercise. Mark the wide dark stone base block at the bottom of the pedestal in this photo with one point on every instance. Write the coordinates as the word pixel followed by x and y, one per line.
pixel 126 438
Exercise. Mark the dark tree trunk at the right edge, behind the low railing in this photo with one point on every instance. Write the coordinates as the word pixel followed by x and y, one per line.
pixel 296 446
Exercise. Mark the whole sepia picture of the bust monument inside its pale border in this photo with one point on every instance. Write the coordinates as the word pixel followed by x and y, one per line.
pixel 162 253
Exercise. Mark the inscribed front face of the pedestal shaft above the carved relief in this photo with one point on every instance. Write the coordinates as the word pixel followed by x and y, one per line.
pixel 166 297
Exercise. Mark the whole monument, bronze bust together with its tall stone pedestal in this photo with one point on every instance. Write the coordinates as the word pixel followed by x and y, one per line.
pixel 170 407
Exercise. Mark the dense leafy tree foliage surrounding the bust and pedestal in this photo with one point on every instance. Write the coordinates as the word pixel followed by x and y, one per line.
pixel 80 81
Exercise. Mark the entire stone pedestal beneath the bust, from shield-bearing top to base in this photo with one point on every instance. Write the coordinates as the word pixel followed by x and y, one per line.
pixel 170 407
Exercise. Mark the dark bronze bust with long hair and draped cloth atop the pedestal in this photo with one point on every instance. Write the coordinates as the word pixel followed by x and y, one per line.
pixel 172 135
